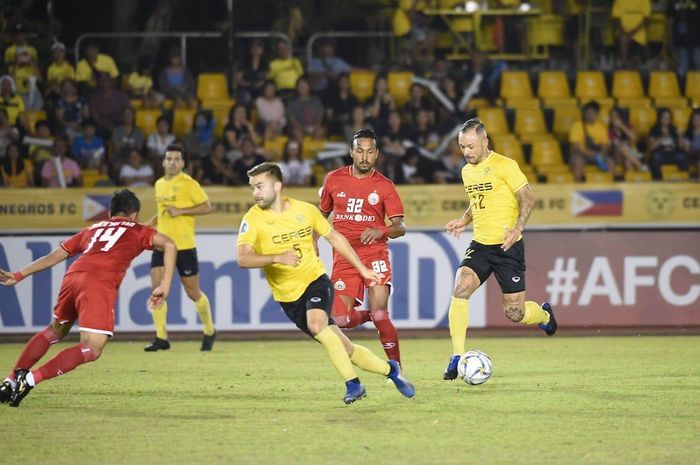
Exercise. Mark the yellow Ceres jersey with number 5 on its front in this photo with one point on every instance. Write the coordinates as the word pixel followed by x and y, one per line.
pixel 272 233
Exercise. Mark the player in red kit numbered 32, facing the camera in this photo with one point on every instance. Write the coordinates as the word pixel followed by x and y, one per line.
pixel 359 198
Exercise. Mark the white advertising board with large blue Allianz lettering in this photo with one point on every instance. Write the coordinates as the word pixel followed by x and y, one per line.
pixel 424 265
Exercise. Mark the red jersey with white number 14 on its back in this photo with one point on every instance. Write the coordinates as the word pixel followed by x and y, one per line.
pixel 108 247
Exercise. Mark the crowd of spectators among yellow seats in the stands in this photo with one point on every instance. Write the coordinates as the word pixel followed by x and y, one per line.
pixel 93 124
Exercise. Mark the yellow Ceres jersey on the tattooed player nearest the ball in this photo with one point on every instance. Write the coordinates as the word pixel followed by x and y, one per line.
pixel 491 187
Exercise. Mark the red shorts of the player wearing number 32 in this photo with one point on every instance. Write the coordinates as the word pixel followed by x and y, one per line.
pixel 347 280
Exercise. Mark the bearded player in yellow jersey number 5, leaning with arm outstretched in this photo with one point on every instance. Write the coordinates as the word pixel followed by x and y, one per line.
pixel 277 235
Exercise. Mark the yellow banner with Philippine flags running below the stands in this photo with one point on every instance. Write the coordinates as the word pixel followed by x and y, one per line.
pixel 427 207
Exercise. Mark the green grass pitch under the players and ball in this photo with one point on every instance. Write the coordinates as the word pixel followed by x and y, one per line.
pixel 586 400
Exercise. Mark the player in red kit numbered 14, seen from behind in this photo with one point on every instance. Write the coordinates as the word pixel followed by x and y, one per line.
pixel 88 292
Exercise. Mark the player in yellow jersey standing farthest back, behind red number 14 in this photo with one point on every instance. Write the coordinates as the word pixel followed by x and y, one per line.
pixel 179 199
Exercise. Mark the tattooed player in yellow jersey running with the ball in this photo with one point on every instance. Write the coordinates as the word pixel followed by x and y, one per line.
pixel 500 202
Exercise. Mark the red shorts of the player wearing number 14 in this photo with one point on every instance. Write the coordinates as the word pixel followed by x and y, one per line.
pixel 89 301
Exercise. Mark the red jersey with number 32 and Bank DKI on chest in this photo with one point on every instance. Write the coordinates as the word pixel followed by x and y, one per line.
pixel 359 203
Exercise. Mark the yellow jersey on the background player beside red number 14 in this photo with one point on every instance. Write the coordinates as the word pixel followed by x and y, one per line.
pixel 180 192
